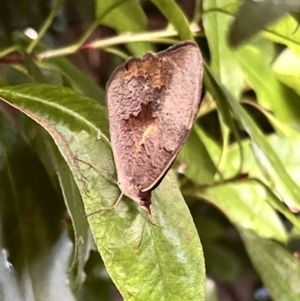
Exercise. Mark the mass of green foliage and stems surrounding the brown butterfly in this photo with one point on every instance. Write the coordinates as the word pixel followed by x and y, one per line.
pixel 238 172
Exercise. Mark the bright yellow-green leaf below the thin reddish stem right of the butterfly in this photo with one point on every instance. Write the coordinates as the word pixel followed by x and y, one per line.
pixel 244 203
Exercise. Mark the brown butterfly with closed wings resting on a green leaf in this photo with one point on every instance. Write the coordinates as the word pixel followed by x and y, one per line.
pixel 152 104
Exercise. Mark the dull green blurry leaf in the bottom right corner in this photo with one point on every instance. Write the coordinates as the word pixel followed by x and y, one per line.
pixel 278 268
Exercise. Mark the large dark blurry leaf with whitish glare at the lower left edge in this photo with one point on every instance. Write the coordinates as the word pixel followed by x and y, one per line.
pixel 35 247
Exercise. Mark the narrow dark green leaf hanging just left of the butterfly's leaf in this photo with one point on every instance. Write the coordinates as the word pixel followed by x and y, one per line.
pixel 63 181
